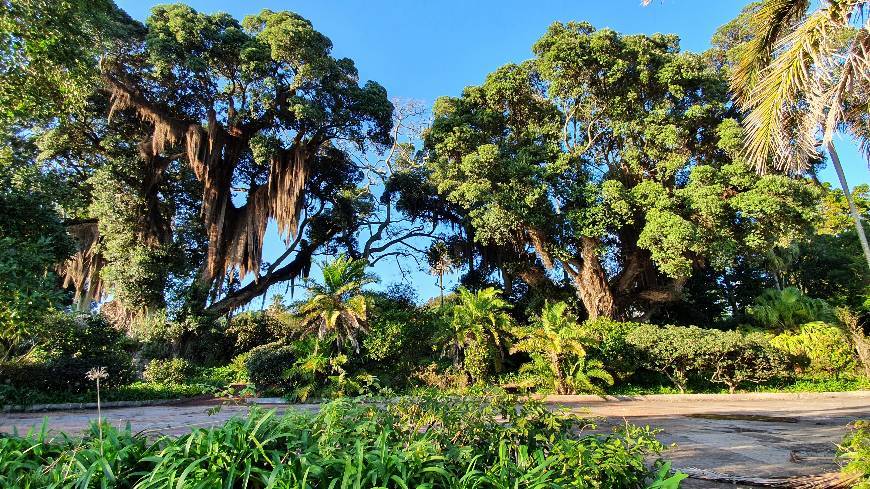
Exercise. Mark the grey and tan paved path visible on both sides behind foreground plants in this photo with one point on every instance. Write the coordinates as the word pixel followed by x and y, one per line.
pixel 750 435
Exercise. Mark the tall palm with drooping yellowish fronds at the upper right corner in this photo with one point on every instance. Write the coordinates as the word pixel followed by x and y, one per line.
pixel 805 73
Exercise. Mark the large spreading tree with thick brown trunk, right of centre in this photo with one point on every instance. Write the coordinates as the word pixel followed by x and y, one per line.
pixel 616 159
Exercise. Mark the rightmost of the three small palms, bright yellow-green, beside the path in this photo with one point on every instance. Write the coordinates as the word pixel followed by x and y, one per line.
pixel 557 344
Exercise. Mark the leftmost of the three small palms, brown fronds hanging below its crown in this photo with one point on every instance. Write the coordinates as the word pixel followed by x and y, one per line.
pixel 338 307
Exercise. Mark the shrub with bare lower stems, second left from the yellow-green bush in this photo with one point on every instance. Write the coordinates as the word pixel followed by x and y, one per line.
pixel 672 350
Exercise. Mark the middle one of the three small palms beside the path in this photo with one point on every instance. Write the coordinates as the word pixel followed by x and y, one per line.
pixel 478 329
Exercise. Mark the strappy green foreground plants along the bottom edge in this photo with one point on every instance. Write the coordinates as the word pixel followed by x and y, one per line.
pixel 425 441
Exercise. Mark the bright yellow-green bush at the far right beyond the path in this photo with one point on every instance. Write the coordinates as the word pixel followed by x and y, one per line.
pixel 824 348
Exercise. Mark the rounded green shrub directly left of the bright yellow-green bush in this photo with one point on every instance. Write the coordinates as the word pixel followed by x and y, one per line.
pixel 733 357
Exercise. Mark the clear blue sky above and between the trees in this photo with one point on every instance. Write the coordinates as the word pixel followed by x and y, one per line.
pixel 422 49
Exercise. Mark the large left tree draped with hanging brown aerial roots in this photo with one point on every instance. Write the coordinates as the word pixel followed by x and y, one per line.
pixel 215 128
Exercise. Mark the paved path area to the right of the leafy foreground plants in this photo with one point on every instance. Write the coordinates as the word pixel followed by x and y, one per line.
pixel 756 438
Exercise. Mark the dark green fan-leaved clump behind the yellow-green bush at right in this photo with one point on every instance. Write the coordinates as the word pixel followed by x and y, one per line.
pixel 782 310
